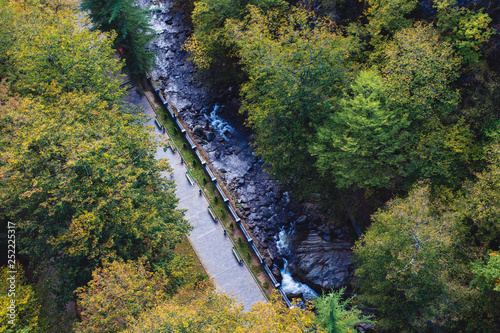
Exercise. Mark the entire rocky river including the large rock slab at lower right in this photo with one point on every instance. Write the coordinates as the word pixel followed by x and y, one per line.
pixel 291 235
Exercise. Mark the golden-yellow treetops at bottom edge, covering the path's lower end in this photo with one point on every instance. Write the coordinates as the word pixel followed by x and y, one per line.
pixel 206 311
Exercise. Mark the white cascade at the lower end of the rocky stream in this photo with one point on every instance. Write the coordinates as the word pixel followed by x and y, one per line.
pixel 289 285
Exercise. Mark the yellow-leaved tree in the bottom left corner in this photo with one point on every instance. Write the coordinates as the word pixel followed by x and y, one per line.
pixel 27 305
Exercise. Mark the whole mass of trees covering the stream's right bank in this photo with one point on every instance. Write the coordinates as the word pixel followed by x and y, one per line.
pixel 391 106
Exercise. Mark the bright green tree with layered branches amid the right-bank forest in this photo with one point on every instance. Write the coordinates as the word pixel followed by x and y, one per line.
pixel 364 143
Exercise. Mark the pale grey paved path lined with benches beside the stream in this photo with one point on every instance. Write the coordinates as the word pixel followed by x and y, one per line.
pixel 207 237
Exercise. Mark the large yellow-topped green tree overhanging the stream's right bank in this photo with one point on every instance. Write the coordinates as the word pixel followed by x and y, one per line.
pixel 295 75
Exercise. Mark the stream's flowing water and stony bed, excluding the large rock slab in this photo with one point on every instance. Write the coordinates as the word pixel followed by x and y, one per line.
pixel 266 207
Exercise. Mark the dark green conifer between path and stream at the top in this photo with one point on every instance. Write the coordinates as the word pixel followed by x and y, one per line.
pixel 133 32
